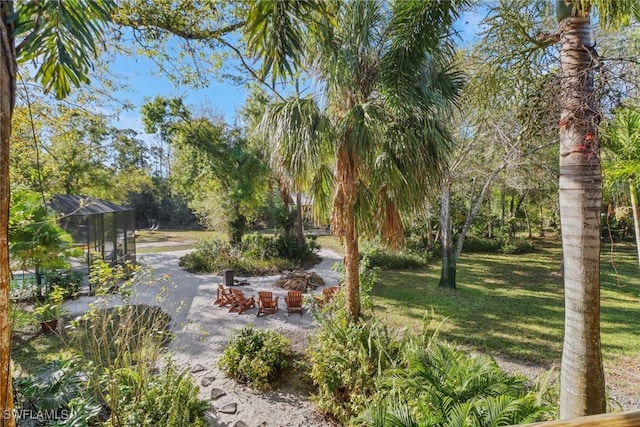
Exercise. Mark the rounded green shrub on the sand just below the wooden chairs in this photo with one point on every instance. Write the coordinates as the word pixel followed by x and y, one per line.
pixel 254 356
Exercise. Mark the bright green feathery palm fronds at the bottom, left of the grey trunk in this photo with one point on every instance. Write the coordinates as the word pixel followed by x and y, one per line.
pixel 438 385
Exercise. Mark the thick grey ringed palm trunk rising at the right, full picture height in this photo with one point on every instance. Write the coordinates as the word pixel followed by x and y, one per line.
pixel 582 376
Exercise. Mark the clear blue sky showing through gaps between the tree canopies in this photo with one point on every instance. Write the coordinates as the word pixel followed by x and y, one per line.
pixel 144 81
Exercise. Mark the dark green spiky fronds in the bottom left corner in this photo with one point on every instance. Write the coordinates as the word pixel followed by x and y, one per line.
pixel 58 386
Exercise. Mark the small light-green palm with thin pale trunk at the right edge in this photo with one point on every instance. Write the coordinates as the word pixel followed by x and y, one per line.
pixel 622 139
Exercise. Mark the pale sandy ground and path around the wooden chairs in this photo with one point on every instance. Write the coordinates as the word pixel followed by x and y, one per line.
pixel 202 330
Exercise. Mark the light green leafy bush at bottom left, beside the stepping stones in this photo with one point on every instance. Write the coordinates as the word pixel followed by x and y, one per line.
pixel 169 398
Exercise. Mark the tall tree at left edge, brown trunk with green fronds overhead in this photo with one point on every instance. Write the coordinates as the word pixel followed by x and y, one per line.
pixel 62 37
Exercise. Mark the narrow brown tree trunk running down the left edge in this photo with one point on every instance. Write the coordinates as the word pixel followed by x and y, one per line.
pixel 7 101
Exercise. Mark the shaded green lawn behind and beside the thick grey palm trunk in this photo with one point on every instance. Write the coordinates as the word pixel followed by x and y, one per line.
pixel 513 305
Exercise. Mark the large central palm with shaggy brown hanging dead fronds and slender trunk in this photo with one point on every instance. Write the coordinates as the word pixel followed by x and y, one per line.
pixel 388 83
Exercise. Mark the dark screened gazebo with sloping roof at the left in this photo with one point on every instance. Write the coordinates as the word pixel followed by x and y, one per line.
pixel 101 228
